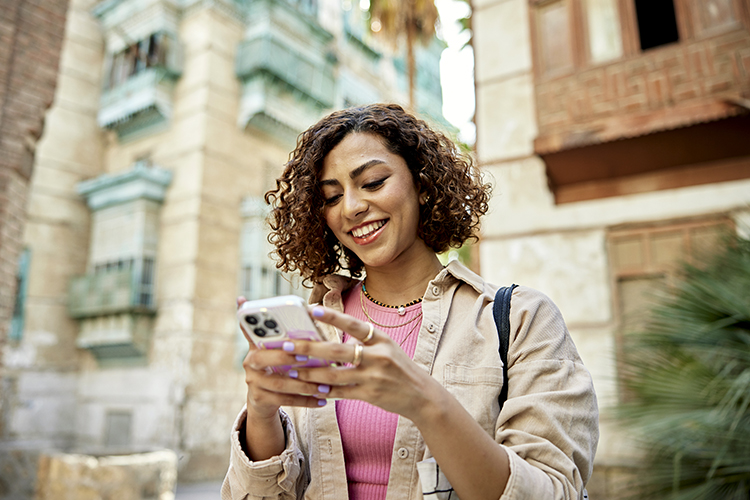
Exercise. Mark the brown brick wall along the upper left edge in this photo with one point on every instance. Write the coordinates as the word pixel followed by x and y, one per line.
pixel 31 34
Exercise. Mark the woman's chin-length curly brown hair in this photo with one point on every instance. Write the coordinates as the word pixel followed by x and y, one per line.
pixel 456 195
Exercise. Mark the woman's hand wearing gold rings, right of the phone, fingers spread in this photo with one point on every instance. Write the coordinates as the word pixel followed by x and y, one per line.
pixel 386 377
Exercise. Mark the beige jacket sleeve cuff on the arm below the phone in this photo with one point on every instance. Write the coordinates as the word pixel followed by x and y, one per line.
pixel 283 477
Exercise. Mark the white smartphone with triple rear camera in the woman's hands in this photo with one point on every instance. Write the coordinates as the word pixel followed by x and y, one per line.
pixel 271 322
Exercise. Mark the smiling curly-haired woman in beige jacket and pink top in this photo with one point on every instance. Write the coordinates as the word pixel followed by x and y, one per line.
pixel 412 407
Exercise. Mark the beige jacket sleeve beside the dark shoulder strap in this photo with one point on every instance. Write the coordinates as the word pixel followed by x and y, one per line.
pixel 550 421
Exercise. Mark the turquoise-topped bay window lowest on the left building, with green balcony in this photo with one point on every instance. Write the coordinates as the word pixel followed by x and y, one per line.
pixel 114 301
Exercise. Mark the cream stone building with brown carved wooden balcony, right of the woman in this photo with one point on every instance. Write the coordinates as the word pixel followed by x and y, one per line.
pixel 616 132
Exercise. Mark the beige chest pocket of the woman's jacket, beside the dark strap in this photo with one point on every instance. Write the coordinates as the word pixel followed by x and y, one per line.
pixel 477 389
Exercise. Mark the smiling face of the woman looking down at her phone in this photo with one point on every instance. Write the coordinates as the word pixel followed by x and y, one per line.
pixel 371 202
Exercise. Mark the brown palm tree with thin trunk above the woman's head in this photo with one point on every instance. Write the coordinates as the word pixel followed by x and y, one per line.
pixel 412 20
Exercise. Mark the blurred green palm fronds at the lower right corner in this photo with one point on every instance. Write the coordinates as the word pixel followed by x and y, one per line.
pixel 687 380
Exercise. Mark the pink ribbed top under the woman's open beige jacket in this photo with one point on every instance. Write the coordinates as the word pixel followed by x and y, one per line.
pixel 367 432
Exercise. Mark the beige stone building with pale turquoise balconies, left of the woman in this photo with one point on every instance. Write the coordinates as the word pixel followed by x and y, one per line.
pixel 170 120
